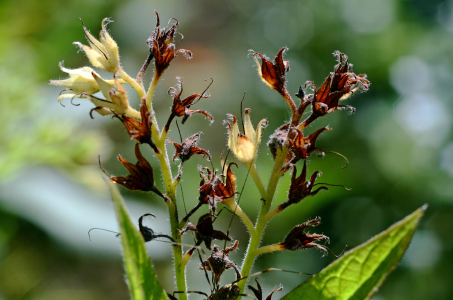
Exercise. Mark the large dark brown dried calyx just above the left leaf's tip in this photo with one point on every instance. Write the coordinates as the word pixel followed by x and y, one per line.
pixel 141 176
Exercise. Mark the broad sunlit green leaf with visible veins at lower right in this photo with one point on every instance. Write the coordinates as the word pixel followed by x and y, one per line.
pixel 360 272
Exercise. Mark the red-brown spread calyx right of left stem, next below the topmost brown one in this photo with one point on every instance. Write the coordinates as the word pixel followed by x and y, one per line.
pixel 181 108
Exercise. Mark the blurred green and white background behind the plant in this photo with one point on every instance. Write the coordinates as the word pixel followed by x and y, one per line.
pixel 399 142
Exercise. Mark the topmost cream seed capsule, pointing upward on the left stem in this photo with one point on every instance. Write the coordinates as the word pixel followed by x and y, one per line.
pixel 102 54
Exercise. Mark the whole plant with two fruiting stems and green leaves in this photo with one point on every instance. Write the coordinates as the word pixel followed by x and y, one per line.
pixel 289 145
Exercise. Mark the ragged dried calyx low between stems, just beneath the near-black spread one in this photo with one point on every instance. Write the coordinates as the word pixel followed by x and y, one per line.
pixel 218 262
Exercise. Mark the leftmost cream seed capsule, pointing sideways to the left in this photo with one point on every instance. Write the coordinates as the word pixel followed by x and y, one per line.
pixel 79 81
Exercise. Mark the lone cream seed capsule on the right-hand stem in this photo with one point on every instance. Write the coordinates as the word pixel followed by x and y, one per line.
pixel 245 146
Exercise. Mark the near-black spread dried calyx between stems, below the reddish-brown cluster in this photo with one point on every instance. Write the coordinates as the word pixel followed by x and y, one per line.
pixel 205 231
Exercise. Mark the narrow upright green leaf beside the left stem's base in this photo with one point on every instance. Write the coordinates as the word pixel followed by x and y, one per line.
pixel 142 281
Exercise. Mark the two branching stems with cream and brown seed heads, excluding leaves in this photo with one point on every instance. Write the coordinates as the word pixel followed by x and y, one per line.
pixel 288 144
